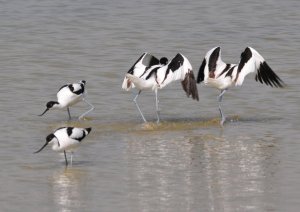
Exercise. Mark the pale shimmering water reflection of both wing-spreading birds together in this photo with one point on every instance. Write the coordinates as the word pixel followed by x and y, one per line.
pixel 216 173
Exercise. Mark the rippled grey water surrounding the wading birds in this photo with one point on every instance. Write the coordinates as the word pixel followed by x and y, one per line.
pixel 188 162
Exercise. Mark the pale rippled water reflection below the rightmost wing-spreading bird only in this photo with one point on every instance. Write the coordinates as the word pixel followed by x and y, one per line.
pixel 234 172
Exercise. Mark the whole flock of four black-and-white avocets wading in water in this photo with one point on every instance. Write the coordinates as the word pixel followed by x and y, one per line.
pixel 150 73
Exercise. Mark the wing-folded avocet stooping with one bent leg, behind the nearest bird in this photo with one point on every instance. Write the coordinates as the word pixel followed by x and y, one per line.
pixel 67 96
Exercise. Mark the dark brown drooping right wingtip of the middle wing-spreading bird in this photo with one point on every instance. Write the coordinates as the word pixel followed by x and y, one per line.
pixel 189 85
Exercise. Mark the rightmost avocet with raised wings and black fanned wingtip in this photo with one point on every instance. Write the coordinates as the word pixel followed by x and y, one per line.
pixel 216 73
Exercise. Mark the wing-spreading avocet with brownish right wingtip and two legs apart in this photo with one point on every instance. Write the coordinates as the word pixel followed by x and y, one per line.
pixel 149 73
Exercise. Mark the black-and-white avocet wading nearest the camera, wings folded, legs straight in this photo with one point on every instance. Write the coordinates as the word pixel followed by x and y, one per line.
pixel 66 139
